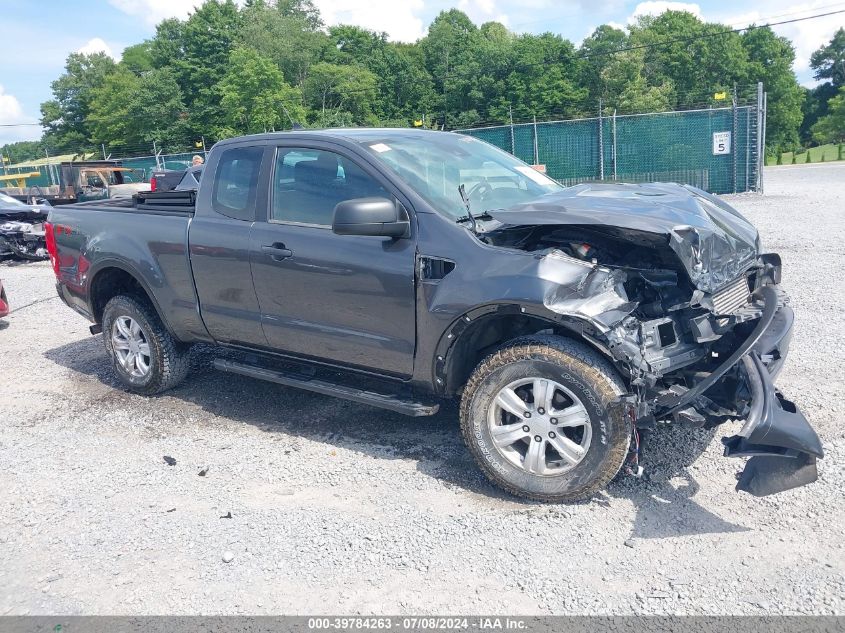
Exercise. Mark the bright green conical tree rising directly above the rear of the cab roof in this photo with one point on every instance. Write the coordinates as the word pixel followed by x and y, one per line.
pixel 255 97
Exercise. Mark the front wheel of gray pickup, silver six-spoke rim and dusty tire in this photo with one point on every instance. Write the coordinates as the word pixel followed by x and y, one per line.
pixel 570 451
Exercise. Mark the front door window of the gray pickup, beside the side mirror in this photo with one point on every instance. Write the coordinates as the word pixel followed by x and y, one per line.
pixel 308 184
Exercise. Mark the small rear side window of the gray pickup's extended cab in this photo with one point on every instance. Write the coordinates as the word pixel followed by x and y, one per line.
pixel 236 181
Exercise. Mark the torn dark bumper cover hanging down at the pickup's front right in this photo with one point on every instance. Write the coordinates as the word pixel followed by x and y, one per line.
pixel 780 441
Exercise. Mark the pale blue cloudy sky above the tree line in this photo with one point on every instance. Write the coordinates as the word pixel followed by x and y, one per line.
pixel 37 35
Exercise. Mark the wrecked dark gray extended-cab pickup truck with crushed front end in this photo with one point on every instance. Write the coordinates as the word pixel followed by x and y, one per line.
pixel 403 268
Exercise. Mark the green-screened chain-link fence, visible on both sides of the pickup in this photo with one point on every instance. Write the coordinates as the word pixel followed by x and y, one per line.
pixel 719 149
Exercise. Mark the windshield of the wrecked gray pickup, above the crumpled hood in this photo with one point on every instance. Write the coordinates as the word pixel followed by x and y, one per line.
pixel 435 164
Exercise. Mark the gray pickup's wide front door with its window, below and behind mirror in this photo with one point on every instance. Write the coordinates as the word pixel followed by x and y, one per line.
pixel 343 299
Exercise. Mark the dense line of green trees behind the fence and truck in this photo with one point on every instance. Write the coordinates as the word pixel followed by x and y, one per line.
pixel 273 65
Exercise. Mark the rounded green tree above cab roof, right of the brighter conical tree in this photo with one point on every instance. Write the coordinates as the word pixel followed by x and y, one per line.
pixel 340 95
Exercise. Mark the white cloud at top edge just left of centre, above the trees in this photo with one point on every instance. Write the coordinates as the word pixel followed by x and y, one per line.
pixel 398 18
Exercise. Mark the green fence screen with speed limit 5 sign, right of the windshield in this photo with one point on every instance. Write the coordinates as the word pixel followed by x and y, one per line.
pixel 716 149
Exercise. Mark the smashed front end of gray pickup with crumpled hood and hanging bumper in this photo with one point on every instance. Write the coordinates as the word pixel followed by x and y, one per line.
pixel 678 294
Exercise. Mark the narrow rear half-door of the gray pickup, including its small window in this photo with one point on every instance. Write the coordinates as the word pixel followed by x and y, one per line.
pixel 219 239
